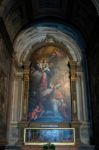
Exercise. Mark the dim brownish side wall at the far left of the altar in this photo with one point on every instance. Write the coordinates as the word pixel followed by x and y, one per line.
pixel 5 66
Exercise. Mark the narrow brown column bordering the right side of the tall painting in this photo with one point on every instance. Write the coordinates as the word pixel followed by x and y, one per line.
pixel 74 118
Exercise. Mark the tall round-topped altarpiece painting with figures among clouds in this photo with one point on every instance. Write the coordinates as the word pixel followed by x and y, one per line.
pixel 49 92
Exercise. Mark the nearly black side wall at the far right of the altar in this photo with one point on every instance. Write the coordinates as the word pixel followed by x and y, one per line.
pixel 93 66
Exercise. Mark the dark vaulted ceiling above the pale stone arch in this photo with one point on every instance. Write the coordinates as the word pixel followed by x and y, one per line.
pixel 20 14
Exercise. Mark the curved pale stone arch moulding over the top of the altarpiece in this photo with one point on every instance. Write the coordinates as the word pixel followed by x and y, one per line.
pixel 34 38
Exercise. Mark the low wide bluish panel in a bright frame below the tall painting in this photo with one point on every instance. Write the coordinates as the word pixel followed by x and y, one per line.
pixel 57 136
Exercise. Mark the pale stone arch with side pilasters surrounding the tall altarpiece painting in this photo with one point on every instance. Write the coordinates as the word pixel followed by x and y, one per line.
pixel 71 42
